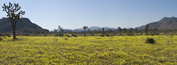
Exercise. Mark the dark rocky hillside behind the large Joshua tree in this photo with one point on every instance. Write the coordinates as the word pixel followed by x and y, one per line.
pixel 6 27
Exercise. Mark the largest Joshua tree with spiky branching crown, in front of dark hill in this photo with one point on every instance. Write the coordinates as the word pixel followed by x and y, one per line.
pixel 13 14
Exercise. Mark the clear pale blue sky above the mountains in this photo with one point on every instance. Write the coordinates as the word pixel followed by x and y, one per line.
pixel 71 14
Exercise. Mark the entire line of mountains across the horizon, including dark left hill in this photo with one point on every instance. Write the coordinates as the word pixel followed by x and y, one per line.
pixel 6 27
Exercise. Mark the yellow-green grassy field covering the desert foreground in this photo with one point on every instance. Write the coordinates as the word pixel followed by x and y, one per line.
pixel 91 50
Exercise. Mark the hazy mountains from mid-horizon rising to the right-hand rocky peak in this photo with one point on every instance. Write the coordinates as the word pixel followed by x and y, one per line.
pixel 163 24
